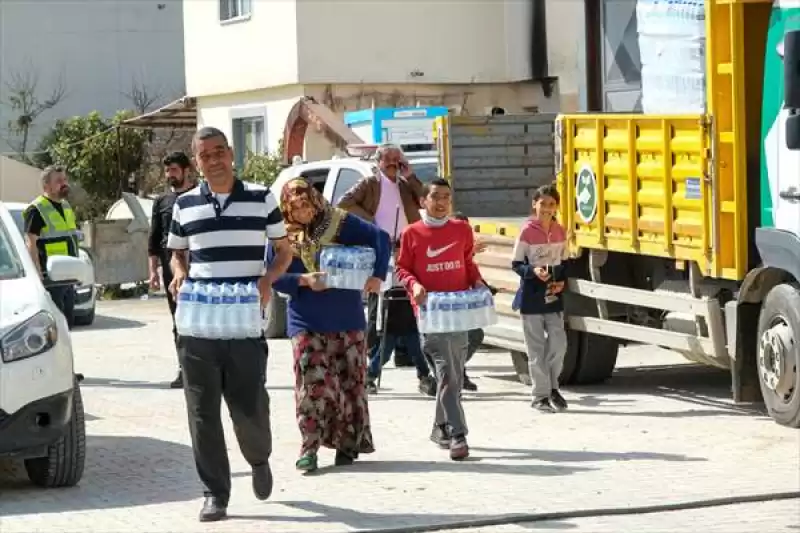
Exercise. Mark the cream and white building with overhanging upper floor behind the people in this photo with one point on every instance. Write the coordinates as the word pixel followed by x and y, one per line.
pixel 249 61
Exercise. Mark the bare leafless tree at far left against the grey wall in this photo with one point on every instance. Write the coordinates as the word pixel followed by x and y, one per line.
pixel 27 105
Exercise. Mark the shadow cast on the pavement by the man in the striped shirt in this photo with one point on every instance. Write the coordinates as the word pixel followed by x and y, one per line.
pixel 376 522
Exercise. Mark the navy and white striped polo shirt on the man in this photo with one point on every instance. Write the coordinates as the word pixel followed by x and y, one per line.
pixel 226 235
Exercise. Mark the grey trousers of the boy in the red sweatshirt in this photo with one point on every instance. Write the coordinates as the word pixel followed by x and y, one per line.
pixel 449 354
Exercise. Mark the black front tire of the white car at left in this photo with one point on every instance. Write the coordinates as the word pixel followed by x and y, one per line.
pixel 64 463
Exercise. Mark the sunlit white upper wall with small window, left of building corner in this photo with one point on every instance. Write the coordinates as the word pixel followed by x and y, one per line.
pixel 233 56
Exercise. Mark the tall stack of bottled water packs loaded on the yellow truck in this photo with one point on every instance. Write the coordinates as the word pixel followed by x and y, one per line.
pixel 672 49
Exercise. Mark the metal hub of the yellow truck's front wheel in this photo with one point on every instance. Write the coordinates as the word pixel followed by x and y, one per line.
pixel 776 364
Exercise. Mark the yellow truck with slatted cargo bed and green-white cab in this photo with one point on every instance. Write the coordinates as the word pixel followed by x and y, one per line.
pixel 685 228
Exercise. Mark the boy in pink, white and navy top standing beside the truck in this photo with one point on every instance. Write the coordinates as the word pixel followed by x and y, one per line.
pixel 539 254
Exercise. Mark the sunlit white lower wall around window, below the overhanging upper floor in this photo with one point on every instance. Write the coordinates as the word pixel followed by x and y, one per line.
pixel 217 110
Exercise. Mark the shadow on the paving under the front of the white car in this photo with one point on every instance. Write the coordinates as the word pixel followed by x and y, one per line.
pixel 120 472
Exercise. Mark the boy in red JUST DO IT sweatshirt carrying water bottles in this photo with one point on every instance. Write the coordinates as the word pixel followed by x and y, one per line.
pixel 436 256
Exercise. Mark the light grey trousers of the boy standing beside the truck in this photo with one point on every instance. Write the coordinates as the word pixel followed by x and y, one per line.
pixel 546 341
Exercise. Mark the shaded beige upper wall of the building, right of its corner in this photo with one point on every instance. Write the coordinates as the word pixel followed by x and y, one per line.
pixel 395 41
